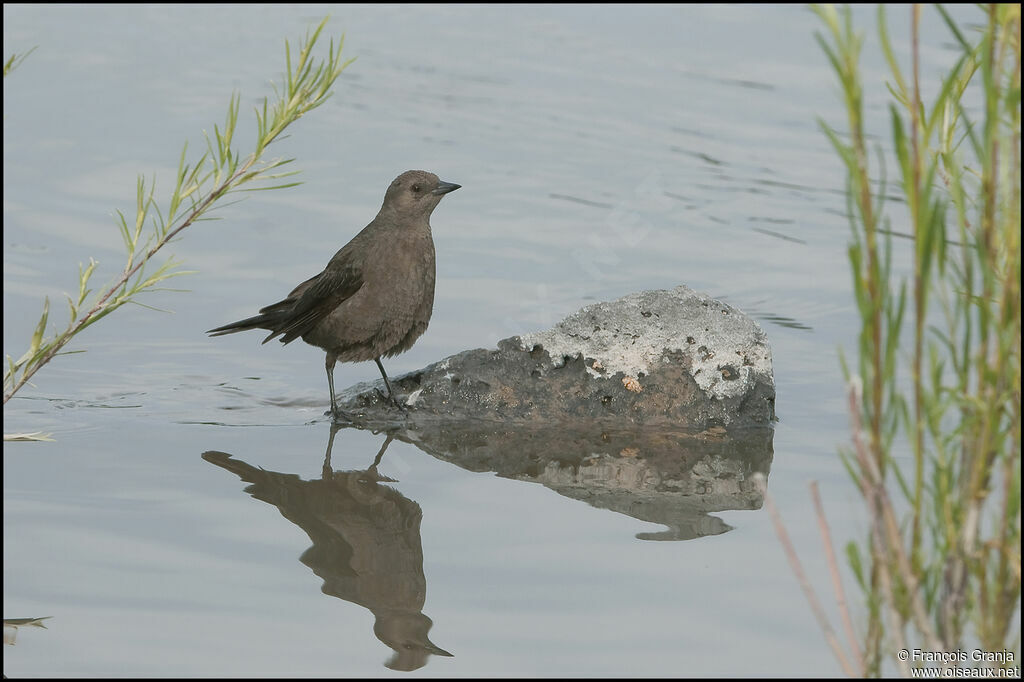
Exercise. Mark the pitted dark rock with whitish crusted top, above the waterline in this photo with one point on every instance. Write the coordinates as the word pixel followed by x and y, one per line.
pixel 674 359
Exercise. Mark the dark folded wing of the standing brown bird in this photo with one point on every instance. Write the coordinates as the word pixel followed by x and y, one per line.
pixel 314 301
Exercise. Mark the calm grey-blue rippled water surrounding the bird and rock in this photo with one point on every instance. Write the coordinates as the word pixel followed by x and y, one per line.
pixel 603 151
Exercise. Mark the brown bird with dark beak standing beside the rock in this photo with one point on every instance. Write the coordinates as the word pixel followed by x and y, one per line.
pixel 376 295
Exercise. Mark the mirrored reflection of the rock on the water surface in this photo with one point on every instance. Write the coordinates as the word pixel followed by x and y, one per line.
pixel 675 479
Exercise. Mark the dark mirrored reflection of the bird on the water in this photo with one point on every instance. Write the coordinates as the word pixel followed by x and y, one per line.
pixel 366 547
